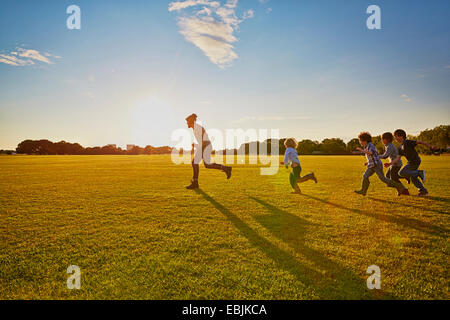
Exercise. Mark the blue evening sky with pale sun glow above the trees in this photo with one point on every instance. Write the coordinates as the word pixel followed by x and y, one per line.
pixel 136 69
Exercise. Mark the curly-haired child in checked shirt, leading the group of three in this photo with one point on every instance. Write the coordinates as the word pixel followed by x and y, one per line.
pixel 374 165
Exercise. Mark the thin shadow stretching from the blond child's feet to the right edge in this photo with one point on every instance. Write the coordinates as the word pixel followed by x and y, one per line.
pixel 402 221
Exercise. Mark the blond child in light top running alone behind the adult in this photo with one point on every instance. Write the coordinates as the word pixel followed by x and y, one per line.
pixel 291 157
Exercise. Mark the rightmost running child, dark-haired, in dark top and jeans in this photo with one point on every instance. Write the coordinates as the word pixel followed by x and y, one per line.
pixel 411 169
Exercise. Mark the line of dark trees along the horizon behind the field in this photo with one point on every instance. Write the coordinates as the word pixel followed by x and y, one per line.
pixel 439 136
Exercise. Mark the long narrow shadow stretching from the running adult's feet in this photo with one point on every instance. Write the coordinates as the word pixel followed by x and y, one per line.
pixel 309 277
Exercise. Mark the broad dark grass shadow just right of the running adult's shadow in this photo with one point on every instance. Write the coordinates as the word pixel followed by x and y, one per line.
pixel 291 229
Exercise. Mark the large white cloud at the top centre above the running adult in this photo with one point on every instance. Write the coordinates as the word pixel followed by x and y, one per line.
pixel 210 26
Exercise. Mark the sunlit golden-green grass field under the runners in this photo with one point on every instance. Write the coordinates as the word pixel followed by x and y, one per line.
pixel 137 233
